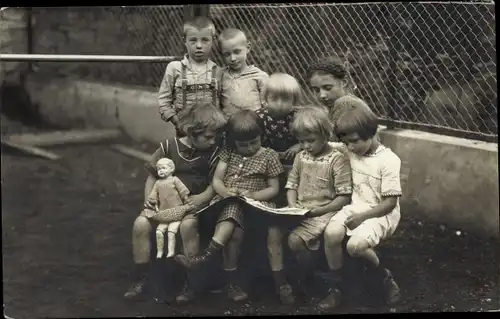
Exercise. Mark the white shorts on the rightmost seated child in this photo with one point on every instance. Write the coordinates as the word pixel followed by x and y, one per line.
pixel 373 230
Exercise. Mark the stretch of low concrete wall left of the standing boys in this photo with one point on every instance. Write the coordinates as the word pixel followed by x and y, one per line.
pixel 78 103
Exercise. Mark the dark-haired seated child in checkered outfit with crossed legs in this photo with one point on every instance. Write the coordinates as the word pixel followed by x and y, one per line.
pixel 245 168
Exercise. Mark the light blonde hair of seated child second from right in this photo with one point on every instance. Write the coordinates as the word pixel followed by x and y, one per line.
pixel 312 119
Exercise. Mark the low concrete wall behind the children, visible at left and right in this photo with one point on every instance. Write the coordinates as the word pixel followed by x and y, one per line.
pixel 445 179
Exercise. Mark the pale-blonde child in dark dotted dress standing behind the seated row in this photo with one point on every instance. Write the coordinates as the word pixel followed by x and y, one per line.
pixel 282 95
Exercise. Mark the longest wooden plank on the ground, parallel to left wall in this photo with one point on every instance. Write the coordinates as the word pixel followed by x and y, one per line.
pixel 64 137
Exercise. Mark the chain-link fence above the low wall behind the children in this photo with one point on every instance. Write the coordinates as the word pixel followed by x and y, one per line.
pixel 427 65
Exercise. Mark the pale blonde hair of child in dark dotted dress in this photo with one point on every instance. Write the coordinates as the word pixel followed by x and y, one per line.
pixel 284 85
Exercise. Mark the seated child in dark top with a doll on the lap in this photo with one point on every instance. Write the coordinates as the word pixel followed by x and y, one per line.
pixel 195 157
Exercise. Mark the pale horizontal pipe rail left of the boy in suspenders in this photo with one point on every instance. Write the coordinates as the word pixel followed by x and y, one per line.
pixel 85 58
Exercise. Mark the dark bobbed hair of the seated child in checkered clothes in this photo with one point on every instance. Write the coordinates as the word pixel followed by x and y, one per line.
pixel 244 125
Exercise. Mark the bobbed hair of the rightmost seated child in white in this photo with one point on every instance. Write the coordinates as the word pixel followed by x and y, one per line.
pixel 356 117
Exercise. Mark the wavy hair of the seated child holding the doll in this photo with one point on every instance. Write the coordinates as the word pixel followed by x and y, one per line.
pixel 201 118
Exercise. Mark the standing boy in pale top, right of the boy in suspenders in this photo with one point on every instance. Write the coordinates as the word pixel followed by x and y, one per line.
pixel 241 85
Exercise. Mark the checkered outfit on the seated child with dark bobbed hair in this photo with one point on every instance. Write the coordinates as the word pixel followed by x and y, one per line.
pixel 247 173
